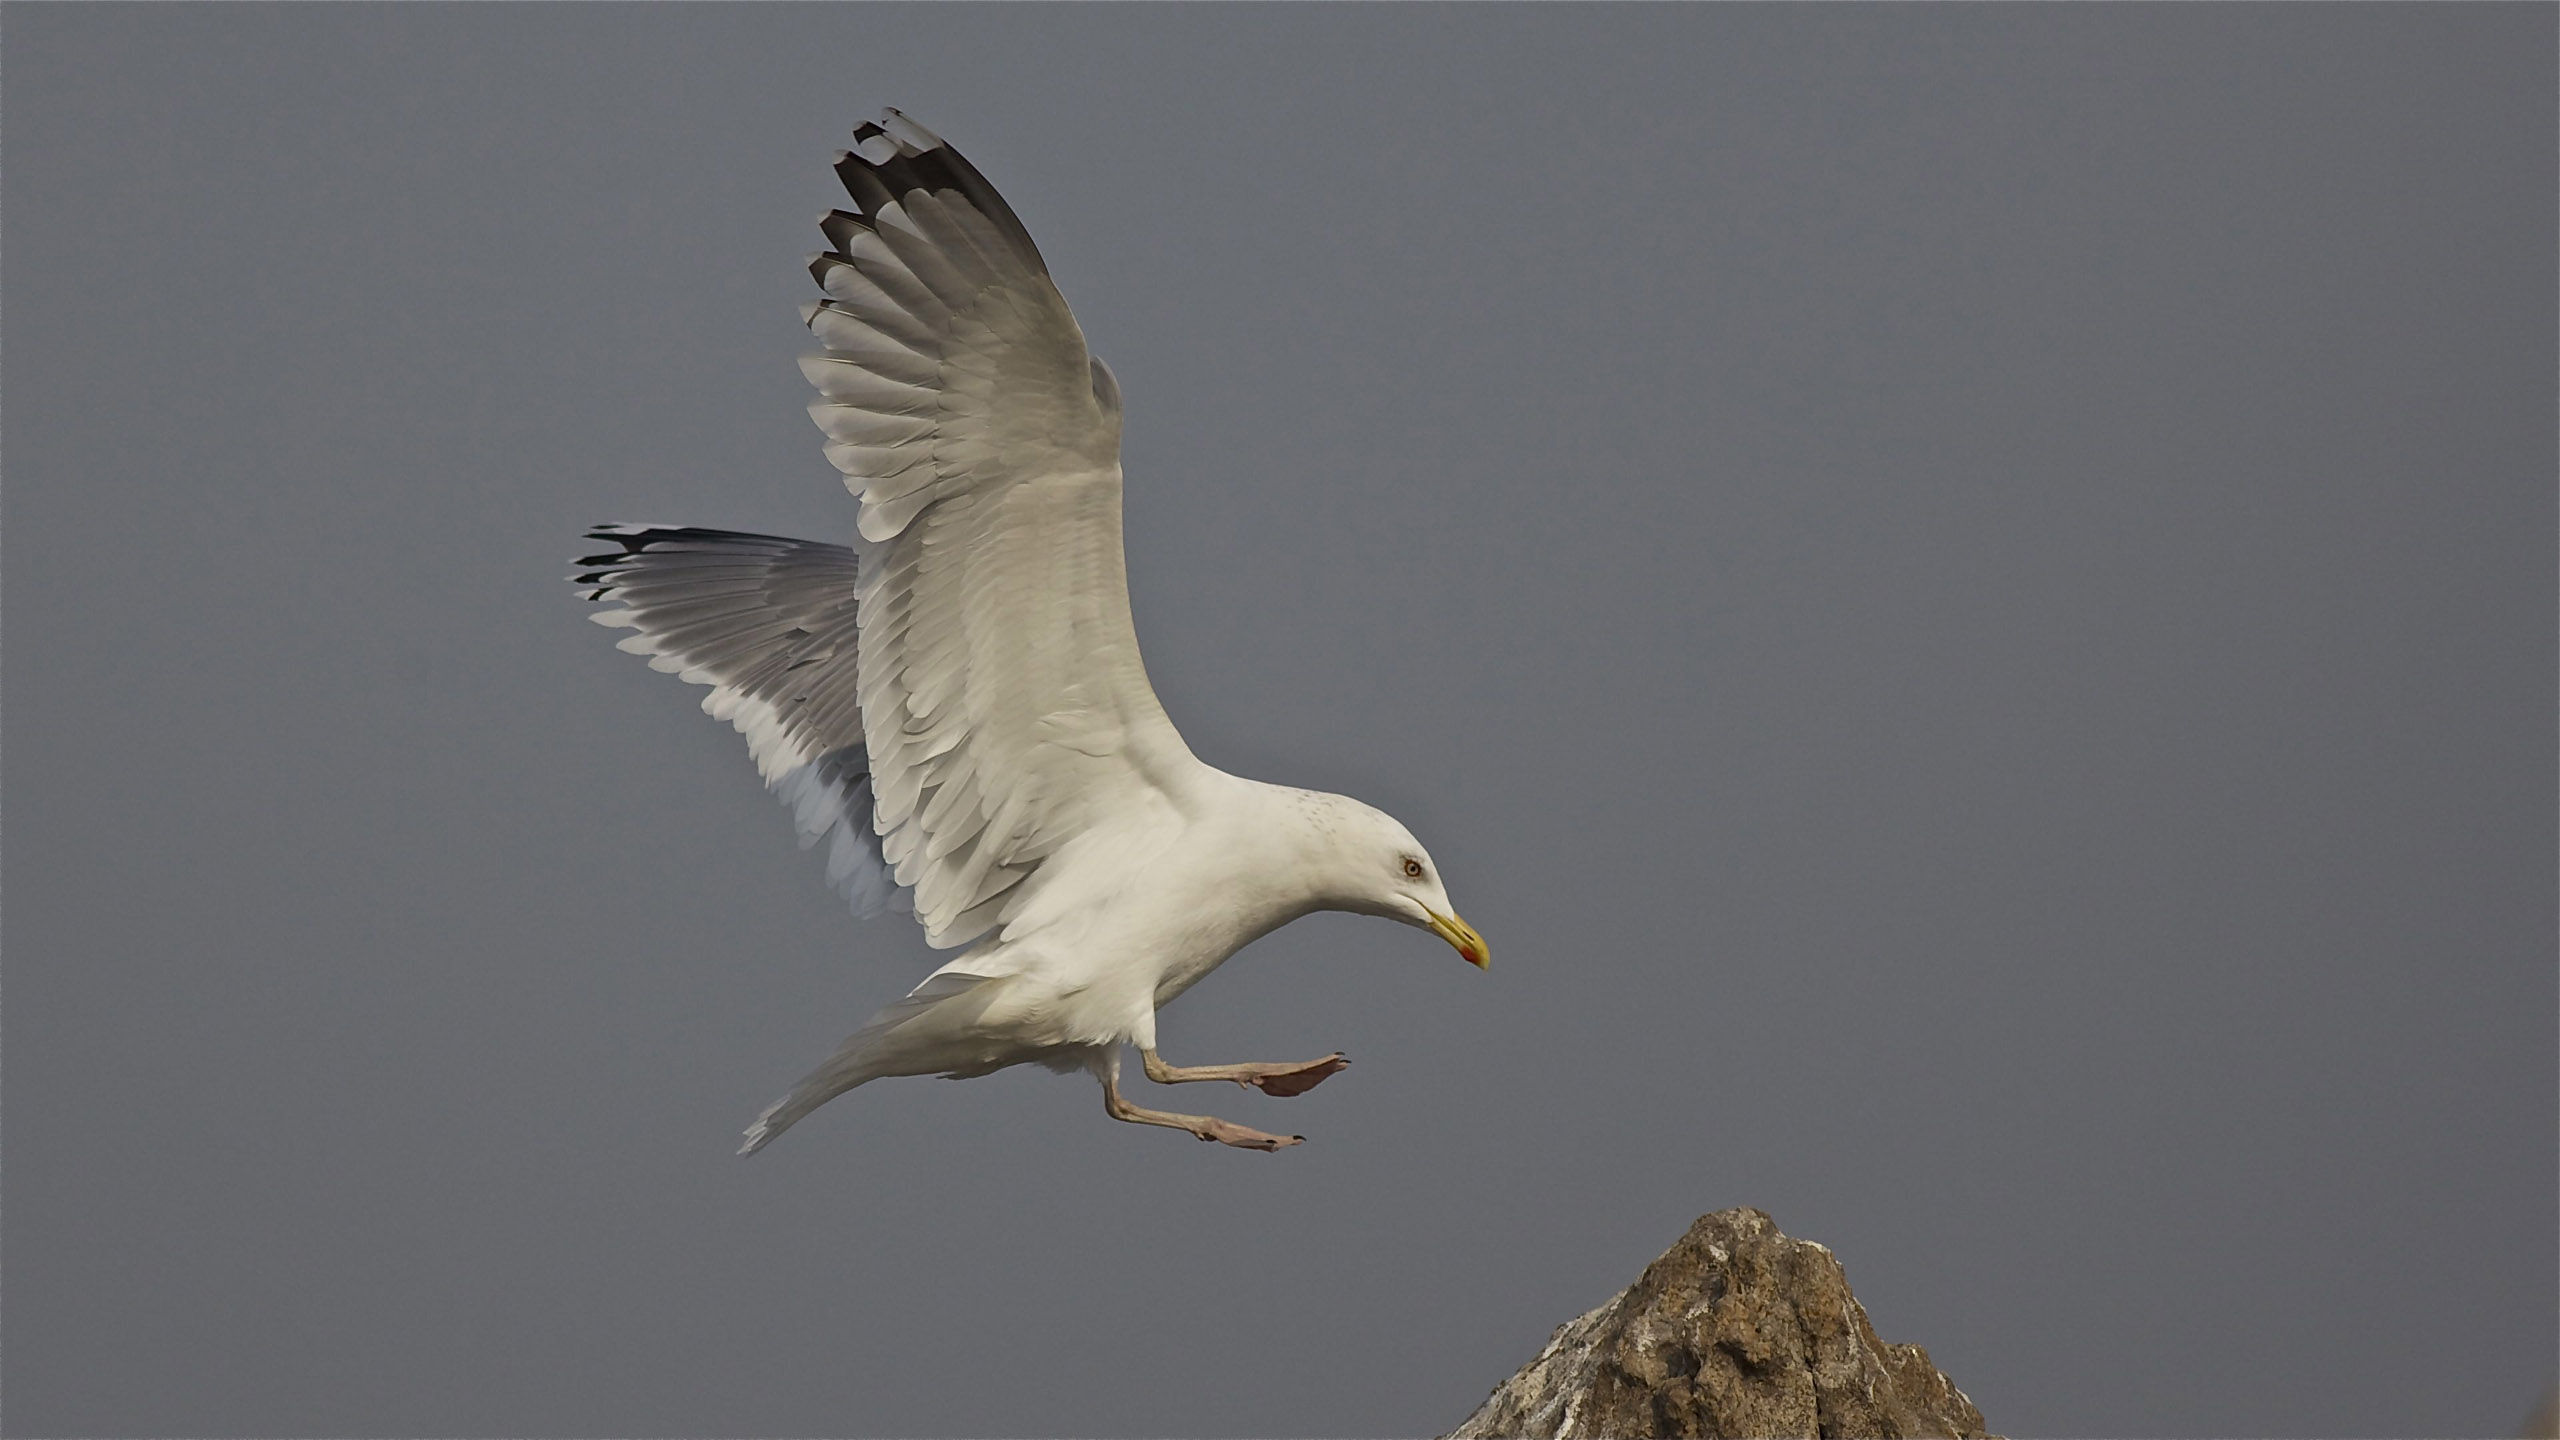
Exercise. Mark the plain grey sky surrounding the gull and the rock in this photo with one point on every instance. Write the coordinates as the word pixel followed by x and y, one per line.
pixel 1962 593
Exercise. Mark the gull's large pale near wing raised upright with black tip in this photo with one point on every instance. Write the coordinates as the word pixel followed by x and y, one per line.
pixel 1005 703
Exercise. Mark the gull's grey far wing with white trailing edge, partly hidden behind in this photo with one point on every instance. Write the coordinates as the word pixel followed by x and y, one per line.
pixel 769 626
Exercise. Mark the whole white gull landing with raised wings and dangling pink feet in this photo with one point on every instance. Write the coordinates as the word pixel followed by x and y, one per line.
pixel 956 708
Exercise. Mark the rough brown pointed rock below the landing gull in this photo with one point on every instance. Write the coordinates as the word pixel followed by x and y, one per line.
pixel 1734 1331
